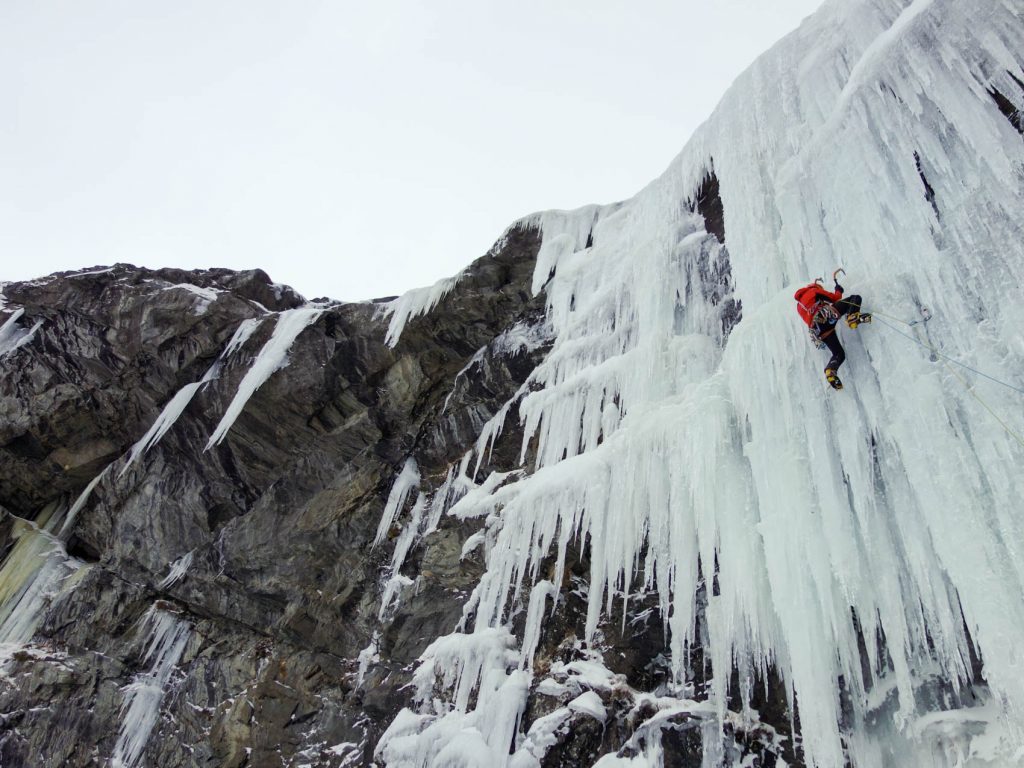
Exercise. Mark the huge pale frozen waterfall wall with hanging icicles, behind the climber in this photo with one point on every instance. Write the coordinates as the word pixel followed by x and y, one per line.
pixel 867 542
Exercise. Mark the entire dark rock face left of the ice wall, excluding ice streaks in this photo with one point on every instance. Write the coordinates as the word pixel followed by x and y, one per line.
pixel 282 593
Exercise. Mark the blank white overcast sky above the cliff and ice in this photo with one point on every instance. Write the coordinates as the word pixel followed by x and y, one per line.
pixel 352 150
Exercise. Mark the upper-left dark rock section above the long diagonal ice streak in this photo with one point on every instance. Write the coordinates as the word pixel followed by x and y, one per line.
pixel 117 345
